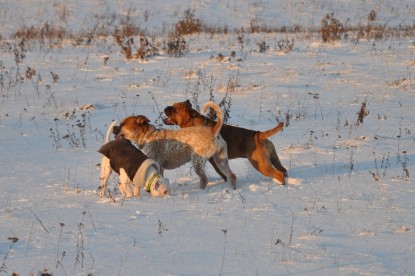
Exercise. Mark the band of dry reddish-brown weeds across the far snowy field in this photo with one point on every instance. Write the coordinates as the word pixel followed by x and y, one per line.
pixel 126 32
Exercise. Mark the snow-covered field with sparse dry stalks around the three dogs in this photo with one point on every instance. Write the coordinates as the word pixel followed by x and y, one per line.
pixel 348 143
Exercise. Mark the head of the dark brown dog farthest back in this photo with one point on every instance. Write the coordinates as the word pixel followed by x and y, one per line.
pixel 180 114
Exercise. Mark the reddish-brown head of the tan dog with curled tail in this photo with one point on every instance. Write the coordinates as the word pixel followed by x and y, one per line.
pixel 133 128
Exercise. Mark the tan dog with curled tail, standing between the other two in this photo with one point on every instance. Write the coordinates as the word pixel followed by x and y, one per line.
pixel 173 148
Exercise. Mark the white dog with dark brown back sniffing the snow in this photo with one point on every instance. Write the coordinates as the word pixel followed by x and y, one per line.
pixel 133 167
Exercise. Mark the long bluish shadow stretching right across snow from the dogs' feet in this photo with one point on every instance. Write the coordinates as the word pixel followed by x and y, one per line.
pixel 188 182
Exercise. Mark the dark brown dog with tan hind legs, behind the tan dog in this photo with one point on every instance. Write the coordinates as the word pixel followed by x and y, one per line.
pixel 241 142
